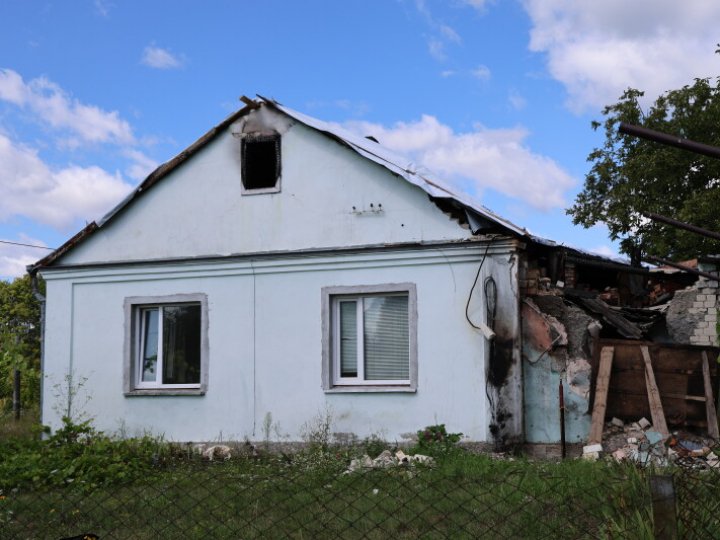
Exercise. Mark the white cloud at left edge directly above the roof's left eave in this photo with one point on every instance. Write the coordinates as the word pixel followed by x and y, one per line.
pixel 59 197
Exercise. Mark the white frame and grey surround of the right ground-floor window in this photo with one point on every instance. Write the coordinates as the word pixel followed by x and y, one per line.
pixel 332 297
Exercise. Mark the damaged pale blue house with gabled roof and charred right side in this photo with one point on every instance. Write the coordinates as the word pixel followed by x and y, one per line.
pixel 281 271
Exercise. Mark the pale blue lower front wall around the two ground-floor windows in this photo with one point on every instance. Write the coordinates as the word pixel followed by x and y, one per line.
pixel 265 343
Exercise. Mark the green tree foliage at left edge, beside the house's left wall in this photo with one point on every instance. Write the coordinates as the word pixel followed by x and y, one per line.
pixel 20 338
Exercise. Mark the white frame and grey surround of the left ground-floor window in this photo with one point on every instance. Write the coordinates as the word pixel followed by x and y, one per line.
pixel 135 307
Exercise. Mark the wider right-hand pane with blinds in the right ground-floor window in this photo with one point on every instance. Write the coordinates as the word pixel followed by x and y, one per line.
pixel 387 343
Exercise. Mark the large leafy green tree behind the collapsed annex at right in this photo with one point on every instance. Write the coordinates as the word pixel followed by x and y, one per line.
pixel 630 175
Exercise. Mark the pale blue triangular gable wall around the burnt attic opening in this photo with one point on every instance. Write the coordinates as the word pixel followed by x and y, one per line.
pixel 325 201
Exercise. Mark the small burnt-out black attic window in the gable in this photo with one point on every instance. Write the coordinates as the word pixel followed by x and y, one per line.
pixel 261 162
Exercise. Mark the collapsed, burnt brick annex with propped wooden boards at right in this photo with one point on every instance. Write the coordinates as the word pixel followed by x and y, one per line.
pixel 593 324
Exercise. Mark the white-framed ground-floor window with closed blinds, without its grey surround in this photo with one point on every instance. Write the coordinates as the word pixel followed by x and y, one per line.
pixel 372 339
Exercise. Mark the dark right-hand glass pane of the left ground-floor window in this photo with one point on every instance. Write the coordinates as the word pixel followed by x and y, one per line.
pixel 181 344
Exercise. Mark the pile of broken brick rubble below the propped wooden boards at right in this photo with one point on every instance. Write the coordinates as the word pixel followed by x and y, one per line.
pixel 639 443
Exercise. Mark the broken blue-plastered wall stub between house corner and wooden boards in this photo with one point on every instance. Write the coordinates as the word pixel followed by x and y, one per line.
pixel 557 346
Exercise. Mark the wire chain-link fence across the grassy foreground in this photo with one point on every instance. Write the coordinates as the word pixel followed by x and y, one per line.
pixel 314 496
